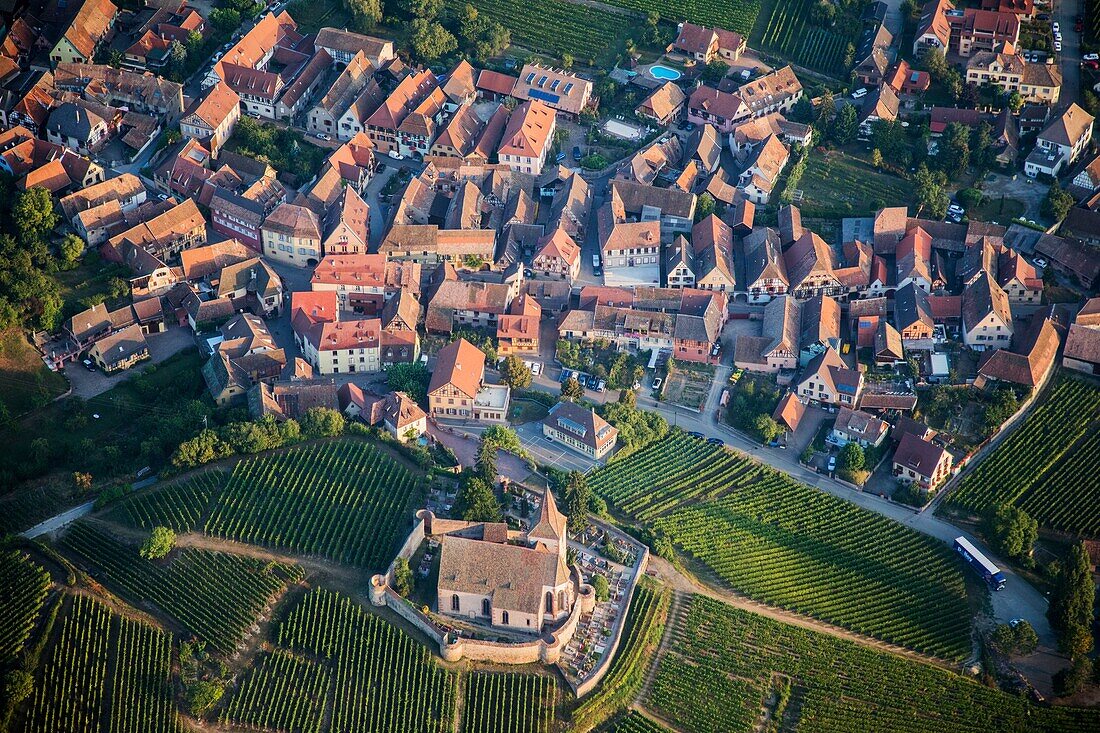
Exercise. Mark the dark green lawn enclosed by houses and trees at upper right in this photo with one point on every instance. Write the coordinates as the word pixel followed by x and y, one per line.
pixel 840 184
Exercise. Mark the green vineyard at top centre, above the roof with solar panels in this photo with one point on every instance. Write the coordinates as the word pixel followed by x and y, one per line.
pixel 555 27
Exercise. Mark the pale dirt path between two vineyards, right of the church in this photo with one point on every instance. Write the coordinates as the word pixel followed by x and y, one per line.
pixel 684 583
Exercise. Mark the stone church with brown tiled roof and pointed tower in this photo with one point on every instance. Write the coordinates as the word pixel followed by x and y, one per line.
pixel 513 581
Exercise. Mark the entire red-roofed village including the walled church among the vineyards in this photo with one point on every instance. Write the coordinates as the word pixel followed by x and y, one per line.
pixel 865 273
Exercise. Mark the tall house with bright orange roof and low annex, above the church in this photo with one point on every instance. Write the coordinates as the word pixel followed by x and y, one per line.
pixel 457 389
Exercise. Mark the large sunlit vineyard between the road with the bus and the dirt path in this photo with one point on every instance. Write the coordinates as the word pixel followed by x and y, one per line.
pixel 786 544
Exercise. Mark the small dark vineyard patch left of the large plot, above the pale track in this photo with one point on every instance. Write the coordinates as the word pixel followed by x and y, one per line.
pixel 179 506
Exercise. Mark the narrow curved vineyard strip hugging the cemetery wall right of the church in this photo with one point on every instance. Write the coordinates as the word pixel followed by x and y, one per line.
pixel 645 626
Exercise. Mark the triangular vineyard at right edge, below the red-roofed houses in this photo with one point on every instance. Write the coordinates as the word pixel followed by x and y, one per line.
pixel 1046 465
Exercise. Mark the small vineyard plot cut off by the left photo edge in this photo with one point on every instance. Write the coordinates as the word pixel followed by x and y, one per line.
pixel 24 589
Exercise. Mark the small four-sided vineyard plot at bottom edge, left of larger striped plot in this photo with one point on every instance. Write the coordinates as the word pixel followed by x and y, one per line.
pixel 284 693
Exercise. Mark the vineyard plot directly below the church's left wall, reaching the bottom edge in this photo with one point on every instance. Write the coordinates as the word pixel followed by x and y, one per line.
pixel 384 682
